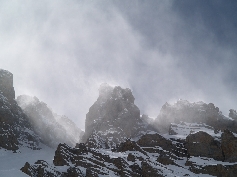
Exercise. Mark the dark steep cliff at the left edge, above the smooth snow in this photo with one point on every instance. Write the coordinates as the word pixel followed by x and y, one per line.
pixel 15 129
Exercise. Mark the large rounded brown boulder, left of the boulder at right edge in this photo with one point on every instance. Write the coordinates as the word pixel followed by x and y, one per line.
pixel 203 144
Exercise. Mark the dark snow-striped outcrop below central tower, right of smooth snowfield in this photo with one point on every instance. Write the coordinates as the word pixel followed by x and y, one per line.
pixel 95 162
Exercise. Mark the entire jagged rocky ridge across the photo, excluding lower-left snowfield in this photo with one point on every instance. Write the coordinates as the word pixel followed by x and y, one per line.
pixel 186 139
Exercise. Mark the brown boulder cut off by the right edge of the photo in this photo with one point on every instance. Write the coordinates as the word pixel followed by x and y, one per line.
pixel 229 146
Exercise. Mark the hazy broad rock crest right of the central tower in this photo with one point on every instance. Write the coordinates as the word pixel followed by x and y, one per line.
pixel 191 112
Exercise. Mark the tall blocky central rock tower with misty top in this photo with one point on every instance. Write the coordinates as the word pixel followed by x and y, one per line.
pixel 112 118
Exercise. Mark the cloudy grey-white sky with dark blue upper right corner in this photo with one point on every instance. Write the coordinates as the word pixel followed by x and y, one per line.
pixel 61 51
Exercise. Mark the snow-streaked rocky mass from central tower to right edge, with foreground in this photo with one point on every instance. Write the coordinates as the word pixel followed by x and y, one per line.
pixel 186 139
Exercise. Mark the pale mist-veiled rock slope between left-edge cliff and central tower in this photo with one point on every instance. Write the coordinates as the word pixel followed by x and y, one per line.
pixel 52 128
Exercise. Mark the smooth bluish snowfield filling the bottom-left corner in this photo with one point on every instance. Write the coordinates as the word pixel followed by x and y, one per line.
pixel 11 163
